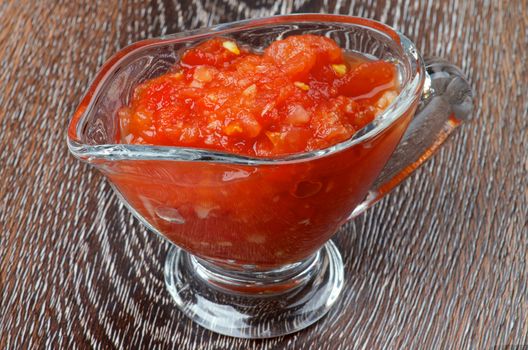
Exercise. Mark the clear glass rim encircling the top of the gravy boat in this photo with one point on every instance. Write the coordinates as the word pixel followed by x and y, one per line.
pixel 410 92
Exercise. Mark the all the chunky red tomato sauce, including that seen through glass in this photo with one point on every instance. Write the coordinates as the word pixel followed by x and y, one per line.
pixel 299 94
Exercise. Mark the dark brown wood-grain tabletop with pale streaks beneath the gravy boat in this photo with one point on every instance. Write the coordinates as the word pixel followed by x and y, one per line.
pixel 441 262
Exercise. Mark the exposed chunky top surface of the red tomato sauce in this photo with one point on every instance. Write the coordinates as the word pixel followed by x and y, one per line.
pixel 301 94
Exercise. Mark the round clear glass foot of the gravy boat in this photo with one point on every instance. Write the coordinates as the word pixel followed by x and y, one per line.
pixel 255 304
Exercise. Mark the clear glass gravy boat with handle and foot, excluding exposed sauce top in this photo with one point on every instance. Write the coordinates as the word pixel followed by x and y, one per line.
pixel 251 254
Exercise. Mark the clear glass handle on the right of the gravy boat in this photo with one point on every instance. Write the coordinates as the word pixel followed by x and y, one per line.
pixel 446 102
